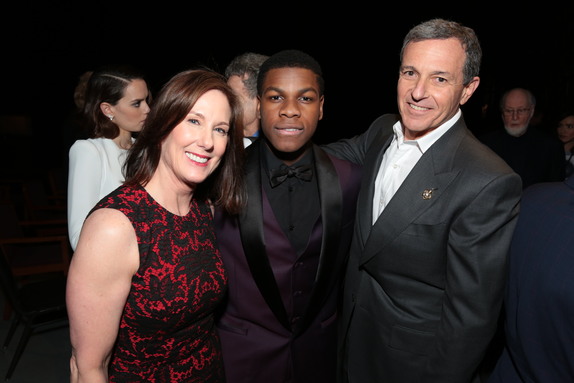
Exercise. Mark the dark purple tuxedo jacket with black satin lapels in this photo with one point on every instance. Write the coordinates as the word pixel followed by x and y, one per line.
pixel 267 333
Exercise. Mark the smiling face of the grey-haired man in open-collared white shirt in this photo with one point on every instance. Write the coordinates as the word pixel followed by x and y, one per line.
pixel 430 87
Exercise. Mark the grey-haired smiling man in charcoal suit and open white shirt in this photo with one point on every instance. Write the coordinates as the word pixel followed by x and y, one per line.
pixel 435 215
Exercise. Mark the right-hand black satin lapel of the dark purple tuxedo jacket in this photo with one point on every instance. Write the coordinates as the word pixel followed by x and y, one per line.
pixel 331 213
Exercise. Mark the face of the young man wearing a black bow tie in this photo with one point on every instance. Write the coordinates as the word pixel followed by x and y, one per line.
pixel 290 108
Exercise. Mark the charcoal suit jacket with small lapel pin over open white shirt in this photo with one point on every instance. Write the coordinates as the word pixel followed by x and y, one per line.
pixel 424 284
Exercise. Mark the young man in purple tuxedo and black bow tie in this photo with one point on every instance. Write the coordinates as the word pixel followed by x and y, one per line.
pixel 285 254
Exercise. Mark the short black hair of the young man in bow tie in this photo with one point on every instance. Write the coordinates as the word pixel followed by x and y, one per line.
pixel 290 58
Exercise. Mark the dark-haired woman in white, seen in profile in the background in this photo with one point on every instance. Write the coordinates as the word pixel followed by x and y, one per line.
pixel 116 106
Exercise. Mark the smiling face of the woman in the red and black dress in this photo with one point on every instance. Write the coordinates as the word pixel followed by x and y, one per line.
pixel 194 148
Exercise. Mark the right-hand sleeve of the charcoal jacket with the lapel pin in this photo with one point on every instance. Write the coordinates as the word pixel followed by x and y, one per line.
pixel 477 252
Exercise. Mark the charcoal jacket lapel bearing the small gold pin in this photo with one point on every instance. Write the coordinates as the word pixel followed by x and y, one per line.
pixel 422 188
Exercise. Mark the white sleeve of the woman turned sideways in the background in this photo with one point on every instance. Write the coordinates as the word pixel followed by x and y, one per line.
pixel 84 180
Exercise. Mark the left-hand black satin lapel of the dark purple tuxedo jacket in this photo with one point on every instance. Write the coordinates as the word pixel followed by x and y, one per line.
pixel 253 239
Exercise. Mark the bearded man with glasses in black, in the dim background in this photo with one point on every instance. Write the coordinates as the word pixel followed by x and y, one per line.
pixel 532 153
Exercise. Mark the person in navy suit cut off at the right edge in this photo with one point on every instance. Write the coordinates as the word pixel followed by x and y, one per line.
pixel 539 300
